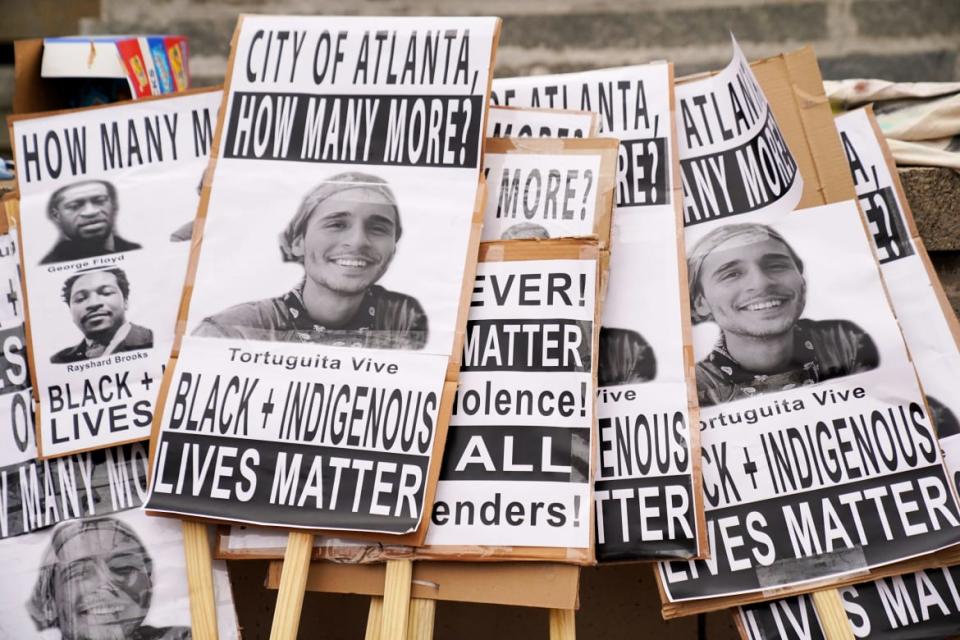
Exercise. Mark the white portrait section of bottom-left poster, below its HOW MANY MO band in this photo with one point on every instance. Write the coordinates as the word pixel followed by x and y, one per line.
pixel 121 575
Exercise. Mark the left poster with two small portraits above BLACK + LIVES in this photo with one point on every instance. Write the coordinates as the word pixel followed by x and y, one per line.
pixel 107 195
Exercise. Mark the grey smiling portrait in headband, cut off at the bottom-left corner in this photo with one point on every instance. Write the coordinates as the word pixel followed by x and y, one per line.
pixel 96 583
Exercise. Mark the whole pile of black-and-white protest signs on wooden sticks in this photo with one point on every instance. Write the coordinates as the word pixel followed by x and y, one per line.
pixel 502 328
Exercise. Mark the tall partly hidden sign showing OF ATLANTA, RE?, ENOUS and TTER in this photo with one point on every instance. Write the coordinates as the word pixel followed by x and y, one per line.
pixel 648 505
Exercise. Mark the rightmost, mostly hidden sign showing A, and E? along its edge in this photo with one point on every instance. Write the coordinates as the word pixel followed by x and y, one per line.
pixel 922 604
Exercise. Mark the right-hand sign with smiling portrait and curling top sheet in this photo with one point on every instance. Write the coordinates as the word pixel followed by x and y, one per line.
pixel 839 471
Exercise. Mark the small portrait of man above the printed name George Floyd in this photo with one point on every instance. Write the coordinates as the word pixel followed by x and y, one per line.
pixel 86 214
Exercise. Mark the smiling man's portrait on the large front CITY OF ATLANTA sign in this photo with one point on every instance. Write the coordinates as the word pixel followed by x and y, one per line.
pixel 344 234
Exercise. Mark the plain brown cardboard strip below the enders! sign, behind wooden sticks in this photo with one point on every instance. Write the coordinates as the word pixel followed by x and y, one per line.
pixel 539 585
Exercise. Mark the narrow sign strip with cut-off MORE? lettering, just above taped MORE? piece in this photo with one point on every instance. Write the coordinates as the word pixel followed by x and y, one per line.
pixel 516 122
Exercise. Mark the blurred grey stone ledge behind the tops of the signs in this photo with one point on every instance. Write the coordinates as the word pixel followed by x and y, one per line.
pixel 892 39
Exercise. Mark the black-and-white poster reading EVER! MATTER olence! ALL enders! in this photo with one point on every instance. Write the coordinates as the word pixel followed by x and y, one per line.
pixel 517 466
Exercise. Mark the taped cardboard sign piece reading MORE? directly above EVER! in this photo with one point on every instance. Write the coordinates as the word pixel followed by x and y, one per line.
pixel 541 189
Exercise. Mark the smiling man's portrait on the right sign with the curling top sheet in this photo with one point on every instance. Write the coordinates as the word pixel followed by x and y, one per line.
pixel 747 279
